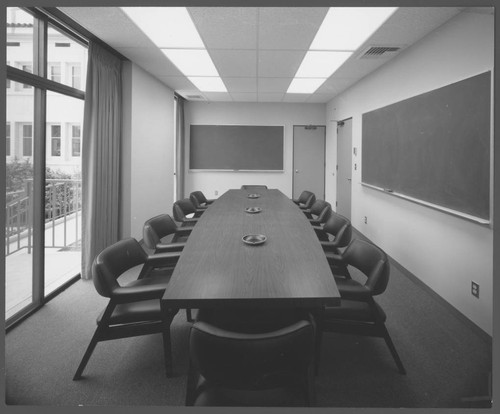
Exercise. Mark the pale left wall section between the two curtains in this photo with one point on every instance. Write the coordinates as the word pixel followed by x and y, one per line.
pixel 148 149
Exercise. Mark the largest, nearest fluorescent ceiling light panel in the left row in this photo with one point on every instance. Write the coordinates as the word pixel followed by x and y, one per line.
pixel 166 26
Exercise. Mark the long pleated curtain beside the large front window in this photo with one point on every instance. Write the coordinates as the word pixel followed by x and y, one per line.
pixel 100 155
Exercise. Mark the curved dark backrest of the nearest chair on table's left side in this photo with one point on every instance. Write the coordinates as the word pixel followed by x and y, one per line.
pixel 113 261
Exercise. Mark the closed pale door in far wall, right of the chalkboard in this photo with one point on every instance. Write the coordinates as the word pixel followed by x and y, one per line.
pixel 309 160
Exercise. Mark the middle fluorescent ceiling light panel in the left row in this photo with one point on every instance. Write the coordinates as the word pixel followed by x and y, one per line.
pixel 192 62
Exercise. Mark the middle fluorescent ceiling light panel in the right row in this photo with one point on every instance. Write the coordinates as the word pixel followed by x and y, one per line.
pixel 321 64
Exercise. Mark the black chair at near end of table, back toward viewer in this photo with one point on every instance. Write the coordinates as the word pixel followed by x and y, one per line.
pixel 251 358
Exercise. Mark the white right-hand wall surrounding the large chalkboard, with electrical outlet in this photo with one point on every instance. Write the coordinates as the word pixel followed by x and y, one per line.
pixel 444 251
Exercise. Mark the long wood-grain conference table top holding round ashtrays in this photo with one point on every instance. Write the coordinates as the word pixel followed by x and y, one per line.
pixel 217 269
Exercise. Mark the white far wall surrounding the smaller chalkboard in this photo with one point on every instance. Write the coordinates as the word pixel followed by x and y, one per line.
pixel 287 114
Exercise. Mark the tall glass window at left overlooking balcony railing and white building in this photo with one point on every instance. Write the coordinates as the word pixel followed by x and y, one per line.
pixel 59 217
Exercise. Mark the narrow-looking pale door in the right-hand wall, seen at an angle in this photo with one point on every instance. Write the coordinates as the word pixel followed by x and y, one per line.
pixel 344 167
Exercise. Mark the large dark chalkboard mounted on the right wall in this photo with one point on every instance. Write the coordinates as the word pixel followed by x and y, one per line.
pixel 434 147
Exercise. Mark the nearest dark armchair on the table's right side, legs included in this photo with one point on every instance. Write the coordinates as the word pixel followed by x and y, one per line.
pixel 358 312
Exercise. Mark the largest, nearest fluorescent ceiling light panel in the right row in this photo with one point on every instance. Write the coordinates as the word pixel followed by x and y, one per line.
pixel 347 28
